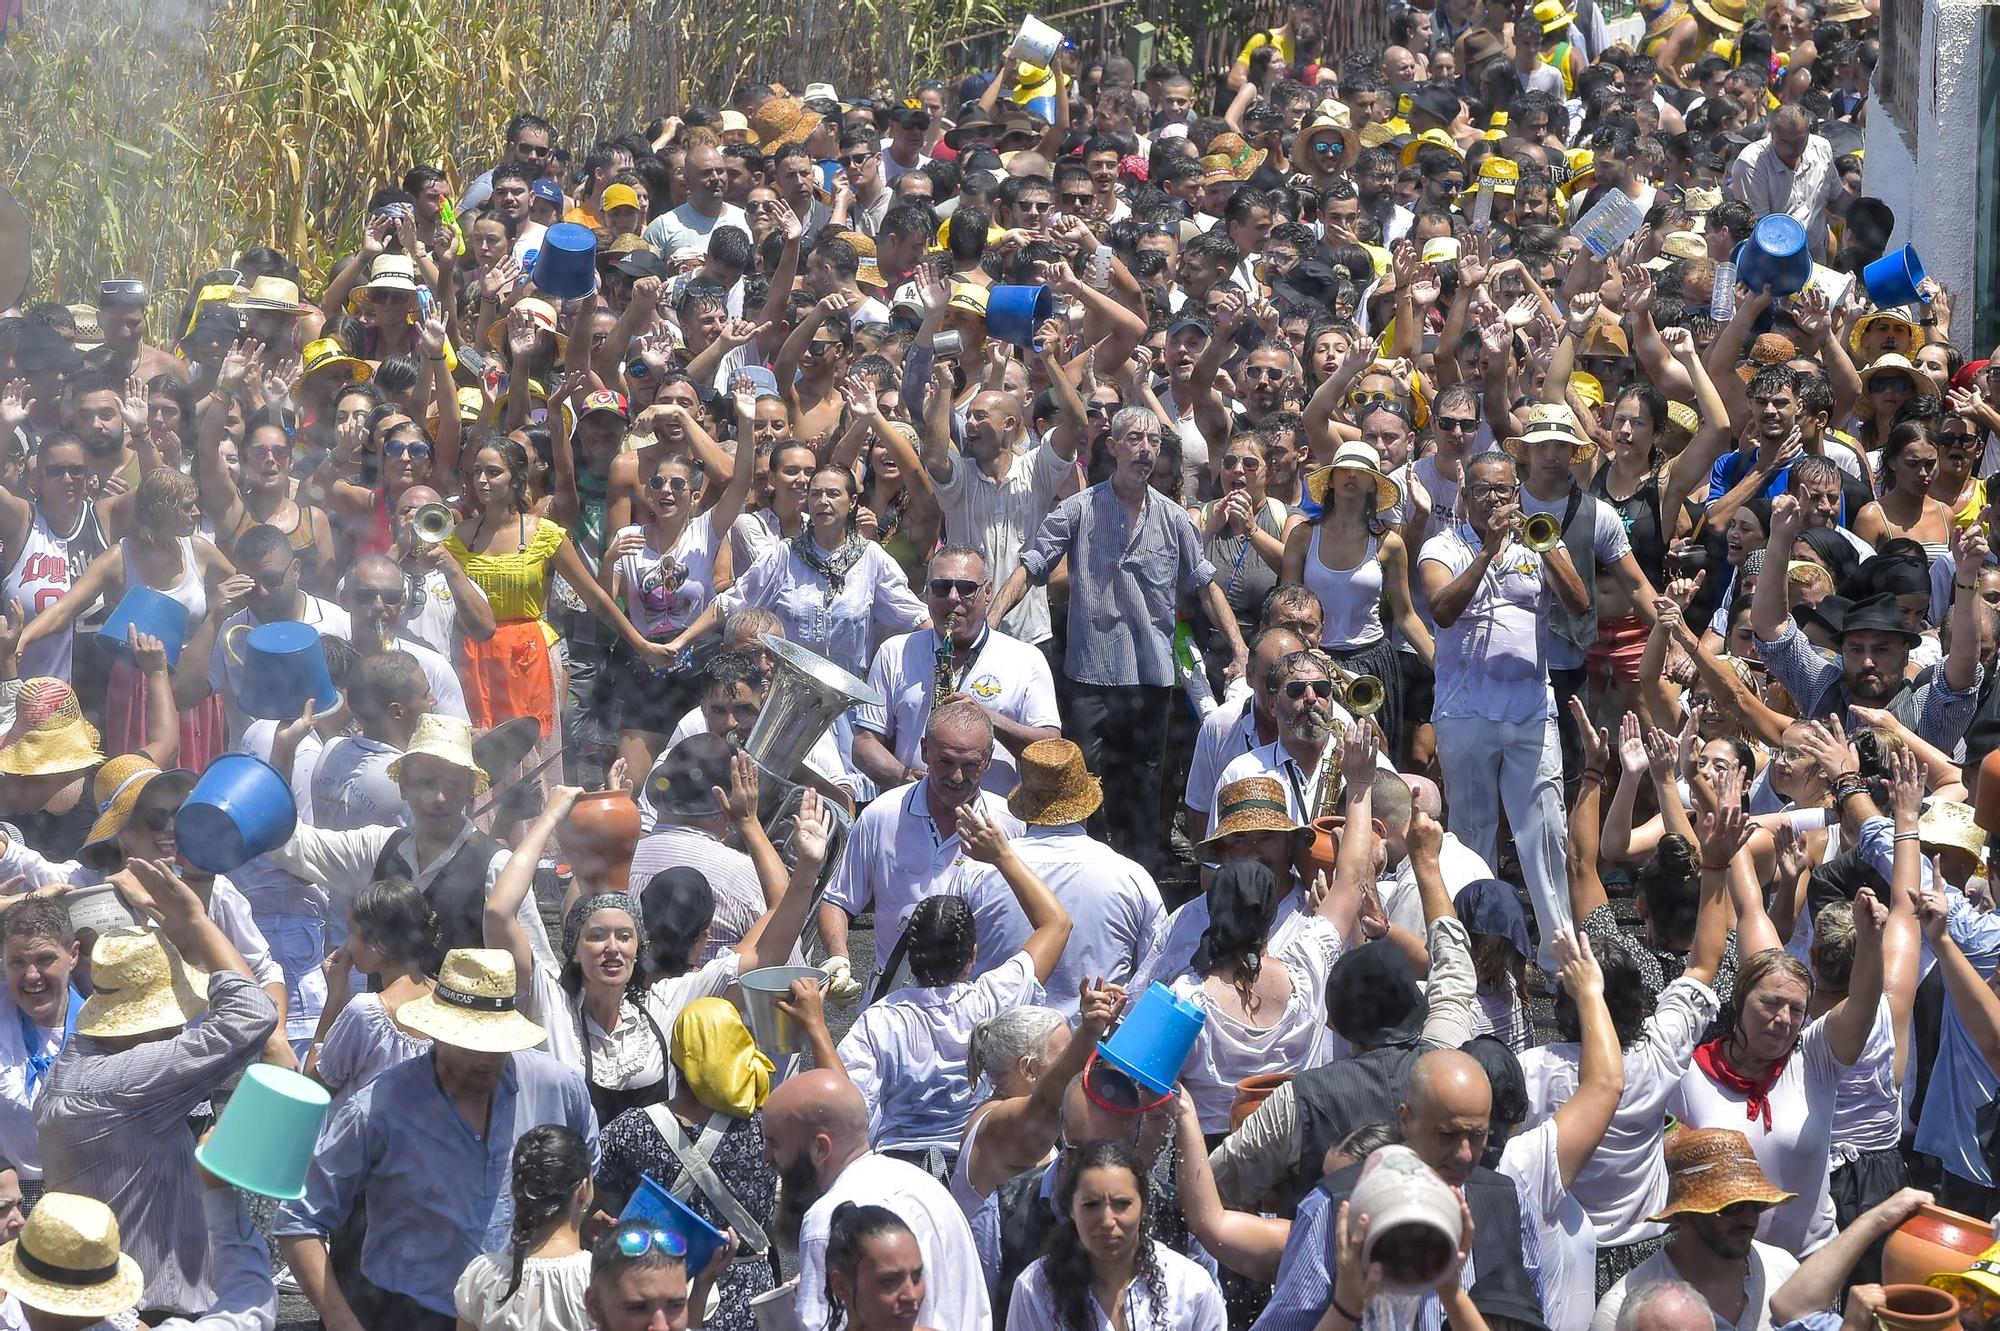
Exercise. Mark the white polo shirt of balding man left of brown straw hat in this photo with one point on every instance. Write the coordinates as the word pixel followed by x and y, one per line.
pixel 897 856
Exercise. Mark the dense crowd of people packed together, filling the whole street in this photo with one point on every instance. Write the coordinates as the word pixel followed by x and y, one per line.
pixel 1333 551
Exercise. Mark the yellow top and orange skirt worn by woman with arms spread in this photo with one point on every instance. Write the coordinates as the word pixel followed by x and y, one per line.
pixel 511 674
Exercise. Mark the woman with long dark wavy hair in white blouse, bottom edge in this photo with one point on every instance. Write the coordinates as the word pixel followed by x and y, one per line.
pixel 1099 1258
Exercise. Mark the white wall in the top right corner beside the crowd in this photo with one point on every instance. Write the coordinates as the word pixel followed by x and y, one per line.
pixel 1935 193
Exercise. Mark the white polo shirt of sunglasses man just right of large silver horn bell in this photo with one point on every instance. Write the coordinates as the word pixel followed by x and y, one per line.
pixel 1005 674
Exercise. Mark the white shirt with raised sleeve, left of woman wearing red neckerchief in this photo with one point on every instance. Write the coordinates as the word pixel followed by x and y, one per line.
pixel 1625 1178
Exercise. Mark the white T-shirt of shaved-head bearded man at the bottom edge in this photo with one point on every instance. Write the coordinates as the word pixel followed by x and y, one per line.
pixel 955 1284
